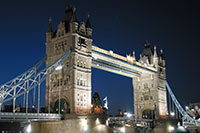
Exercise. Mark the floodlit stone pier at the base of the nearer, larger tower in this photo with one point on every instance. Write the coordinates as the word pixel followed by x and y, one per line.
pixel 73 124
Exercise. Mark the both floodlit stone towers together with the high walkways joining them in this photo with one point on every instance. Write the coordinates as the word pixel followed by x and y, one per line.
pixel 69 89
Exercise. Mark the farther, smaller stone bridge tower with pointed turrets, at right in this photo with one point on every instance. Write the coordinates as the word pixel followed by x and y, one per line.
pixel 150 100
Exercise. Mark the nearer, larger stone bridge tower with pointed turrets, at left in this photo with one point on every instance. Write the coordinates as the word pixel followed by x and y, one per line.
pixel 68 90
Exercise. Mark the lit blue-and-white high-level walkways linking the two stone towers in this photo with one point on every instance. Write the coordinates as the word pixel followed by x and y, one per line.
pixel 112 62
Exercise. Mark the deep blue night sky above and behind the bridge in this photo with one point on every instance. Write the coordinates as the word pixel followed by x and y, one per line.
pixel 121 26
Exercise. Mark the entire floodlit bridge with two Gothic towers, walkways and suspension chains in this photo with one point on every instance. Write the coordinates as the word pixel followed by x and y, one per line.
pixel 70 56
